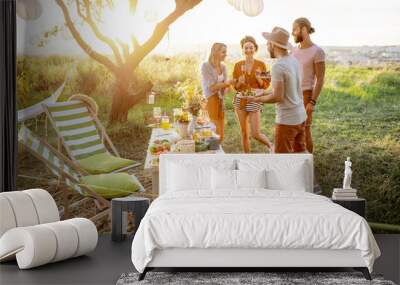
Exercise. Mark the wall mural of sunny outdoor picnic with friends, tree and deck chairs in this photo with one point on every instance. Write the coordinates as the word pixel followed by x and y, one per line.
pixel 105 87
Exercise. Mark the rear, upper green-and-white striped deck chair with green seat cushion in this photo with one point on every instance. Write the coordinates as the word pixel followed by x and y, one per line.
pixel 84 138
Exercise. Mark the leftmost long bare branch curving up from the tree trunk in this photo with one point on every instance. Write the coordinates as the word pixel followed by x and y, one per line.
pixel 82 43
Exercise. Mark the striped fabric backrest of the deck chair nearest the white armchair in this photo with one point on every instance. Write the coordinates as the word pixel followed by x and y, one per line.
pixel 58 167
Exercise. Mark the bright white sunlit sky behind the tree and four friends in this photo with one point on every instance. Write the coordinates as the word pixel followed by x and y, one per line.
pixel 337 23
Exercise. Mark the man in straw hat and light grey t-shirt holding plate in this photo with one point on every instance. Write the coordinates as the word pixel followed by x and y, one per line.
pixel 286 93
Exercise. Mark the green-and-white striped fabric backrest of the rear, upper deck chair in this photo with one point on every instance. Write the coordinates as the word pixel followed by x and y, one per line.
pixel 77 127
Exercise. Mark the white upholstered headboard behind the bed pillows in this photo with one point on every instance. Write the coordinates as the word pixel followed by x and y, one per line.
pixel 217 159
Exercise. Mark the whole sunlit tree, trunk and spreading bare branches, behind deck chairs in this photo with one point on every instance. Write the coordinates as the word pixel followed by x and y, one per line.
pixel 124 96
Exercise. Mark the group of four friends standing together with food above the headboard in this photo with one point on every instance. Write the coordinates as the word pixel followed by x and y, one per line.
pixel 296 78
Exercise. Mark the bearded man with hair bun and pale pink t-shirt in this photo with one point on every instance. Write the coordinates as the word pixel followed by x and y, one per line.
pixel 312 61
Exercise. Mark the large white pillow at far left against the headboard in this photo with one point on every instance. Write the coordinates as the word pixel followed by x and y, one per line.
pixel 182 177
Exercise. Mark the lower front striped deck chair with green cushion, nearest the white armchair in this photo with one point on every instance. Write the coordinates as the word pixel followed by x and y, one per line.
pixel 100 187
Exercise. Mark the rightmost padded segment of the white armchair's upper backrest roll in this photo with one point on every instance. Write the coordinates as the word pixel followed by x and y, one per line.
pixel 45 205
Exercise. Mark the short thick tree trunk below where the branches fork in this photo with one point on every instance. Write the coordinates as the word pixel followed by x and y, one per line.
pixel 125 97
